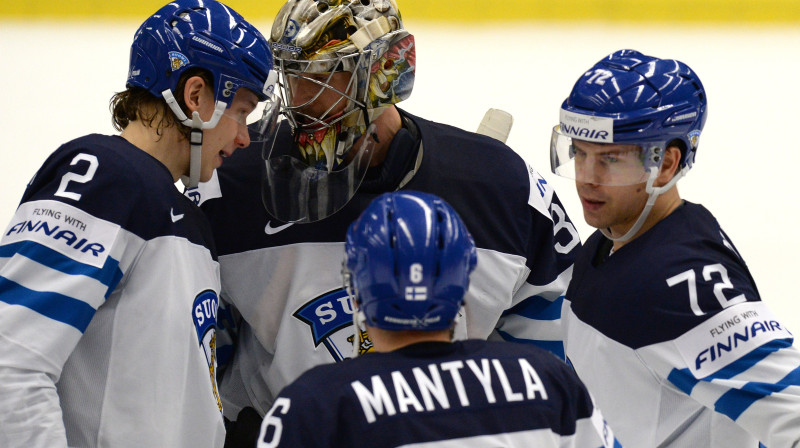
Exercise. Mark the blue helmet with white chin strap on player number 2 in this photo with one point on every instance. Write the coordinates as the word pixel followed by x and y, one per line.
pixel 206 34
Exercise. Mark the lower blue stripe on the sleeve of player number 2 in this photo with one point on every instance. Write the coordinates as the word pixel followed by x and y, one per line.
pixel 56 306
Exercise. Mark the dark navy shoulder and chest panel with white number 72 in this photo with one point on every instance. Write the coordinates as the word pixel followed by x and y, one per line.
pixel 675 276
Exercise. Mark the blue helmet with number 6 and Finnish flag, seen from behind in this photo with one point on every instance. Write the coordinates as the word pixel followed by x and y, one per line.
pixel 408 258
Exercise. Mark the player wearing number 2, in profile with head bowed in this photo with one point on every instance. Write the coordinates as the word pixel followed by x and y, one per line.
pixel 108 277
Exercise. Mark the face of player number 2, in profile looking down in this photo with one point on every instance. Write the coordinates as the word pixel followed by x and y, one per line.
pixel 229 134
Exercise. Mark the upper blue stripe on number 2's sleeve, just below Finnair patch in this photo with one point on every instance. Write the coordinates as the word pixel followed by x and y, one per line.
pixel 109 275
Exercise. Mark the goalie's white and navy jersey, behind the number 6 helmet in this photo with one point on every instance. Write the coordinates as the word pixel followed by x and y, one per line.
pixel 285 279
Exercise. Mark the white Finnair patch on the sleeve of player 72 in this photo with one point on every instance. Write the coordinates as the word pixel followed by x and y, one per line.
pixel 727 336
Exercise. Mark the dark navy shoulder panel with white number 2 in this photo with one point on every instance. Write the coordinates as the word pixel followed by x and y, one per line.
pixel 110 179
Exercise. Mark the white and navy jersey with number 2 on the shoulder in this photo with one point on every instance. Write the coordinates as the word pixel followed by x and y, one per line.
pixel 108 296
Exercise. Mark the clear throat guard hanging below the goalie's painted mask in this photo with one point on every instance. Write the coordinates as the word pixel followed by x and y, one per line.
pixel 294 191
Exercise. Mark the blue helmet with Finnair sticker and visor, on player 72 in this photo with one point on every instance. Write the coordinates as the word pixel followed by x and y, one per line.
pixel 633 100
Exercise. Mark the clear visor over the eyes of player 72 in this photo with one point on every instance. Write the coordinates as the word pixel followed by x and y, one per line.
pixel 614 164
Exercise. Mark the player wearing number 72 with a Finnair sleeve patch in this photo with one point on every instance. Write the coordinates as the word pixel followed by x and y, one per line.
pixel 664 322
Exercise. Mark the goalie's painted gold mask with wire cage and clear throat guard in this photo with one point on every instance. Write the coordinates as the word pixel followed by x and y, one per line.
pixel 341 63
